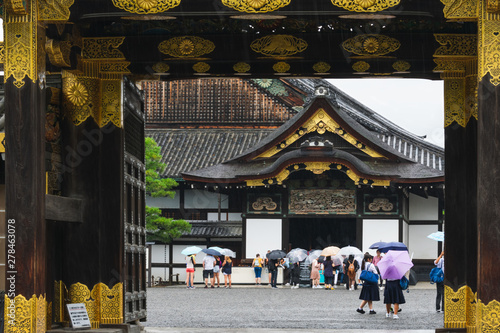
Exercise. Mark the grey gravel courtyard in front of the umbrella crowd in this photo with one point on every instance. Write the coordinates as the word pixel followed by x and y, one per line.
pixel 263 307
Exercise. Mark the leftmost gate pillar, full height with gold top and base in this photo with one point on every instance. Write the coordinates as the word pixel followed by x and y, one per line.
pixel 25 306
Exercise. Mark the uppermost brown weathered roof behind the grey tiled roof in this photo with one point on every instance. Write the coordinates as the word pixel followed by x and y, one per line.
pixel 212 102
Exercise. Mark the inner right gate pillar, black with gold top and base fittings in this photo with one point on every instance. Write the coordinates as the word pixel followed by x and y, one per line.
pixel 457 60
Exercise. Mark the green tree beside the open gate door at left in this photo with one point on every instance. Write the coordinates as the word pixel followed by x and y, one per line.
pixel 160 228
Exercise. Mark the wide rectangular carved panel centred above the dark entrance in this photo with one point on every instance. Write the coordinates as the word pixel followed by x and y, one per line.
pixel 322 201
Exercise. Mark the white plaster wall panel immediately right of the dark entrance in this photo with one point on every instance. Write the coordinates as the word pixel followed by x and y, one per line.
pixel 379 231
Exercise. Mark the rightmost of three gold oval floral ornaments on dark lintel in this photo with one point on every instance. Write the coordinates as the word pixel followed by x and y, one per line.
pixel 371 45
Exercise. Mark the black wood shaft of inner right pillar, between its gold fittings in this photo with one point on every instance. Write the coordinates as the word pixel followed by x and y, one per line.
pixel 460 205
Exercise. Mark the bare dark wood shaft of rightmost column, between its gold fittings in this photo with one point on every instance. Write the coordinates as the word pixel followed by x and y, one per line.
pixel 488 196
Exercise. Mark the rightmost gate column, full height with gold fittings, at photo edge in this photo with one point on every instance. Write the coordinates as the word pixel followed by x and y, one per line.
pixel 488 196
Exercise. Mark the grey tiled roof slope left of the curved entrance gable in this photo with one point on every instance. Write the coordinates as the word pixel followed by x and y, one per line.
pixel 185 150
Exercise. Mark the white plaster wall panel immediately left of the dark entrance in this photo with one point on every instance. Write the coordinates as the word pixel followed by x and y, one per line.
pixel 262 235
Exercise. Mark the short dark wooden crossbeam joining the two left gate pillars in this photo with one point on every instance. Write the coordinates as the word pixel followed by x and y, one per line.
pixel 65 209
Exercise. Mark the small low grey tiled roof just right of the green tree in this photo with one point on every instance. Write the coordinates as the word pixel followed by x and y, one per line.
pixel 233 229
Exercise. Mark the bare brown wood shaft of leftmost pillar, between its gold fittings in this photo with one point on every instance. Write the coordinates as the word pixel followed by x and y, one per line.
pixel 25 185
